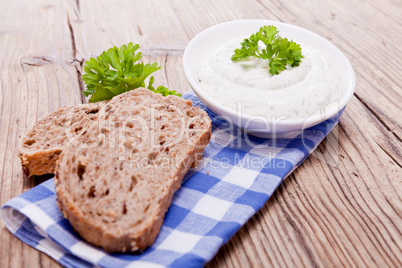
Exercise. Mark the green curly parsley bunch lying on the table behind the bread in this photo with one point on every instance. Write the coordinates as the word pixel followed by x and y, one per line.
pixel 117 71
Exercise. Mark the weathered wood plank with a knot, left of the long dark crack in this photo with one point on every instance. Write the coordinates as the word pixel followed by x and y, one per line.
pixel 35 79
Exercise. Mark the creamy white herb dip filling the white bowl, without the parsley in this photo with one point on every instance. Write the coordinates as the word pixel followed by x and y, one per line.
pixel 294 93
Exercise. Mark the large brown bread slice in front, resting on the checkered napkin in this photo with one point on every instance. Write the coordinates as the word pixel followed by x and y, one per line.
pixel 116 188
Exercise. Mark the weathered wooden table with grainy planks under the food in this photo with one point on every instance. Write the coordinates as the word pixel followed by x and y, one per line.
pixel 342 207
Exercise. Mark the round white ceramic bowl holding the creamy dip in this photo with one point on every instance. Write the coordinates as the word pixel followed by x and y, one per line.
pixel 212 38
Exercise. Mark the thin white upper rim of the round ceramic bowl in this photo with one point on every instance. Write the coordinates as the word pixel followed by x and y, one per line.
pixel 331 111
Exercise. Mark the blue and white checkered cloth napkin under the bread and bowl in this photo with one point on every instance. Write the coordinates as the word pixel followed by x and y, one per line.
pixel 232 182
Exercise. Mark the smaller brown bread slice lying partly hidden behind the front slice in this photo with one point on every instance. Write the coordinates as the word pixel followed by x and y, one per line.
pixel 42 145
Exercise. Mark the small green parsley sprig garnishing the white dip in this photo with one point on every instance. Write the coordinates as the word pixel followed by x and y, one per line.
pixel 280 52
